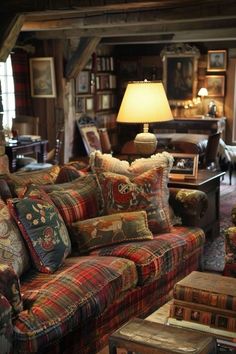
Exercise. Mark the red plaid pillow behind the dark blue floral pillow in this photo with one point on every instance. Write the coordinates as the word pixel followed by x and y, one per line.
pixel 76 200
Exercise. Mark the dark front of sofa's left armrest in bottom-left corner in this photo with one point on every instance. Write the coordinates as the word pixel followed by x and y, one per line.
pixel 6 327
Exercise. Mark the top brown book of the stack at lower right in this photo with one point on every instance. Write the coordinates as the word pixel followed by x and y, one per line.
pixel 207 289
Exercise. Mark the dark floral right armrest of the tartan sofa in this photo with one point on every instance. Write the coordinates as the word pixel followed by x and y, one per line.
pixel 188 204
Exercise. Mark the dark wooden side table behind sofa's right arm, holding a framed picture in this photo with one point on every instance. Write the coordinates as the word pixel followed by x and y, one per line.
pixel 209 182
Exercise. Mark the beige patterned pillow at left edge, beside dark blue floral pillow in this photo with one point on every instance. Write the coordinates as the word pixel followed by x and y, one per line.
pixel 12 248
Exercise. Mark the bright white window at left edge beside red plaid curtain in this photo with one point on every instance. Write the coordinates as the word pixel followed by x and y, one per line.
pixel 8 92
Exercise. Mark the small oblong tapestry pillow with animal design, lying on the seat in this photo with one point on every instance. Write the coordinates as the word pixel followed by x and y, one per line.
pixel 111 229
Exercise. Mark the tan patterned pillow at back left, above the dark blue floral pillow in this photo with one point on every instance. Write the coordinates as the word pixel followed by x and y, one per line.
pixel 18 182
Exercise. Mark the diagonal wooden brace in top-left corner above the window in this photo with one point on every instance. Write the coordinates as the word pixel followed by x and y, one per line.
pixel 10 29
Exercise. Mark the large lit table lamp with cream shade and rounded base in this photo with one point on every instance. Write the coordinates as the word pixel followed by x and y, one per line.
pixel 144 102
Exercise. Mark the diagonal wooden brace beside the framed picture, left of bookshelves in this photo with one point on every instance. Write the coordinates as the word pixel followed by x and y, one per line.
pixel 81 56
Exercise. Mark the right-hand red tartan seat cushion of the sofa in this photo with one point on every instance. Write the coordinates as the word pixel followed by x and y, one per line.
pixel 159 256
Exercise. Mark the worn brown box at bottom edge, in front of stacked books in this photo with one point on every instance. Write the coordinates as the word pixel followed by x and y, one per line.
pixel 154 338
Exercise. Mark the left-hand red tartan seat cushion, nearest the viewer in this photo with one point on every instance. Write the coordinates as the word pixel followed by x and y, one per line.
pixel 81 290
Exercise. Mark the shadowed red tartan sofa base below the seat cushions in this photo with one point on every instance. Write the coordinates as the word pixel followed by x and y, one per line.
pixel 90 337
